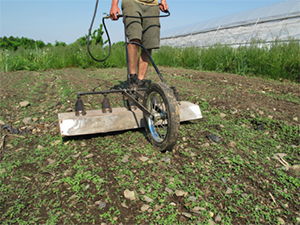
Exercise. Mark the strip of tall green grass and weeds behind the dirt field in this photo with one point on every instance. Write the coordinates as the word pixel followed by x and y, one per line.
pixel 278 60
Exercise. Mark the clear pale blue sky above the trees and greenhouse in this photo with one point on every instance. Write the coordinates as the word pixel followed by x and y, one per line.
pixel 68 20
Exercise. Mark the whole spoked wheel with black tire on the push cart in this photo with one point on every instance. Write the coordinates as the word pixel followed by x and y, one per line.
pixel 163 127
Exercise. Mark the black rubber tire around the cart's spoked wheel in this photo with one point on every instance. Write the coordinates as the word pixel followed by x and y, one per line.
pixel 172 112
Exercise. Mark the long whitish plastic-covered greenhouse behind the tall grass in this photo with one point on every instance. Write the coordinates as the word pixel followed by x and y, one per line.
pixel 276 22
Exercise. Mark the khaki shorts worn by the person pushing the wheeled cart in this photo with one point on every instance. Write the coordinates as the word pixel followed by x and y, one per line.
pixel 147 30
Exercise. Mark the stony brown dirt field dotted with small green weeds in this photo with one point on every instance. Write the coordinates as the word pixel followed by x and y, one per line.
pixel 236 180
